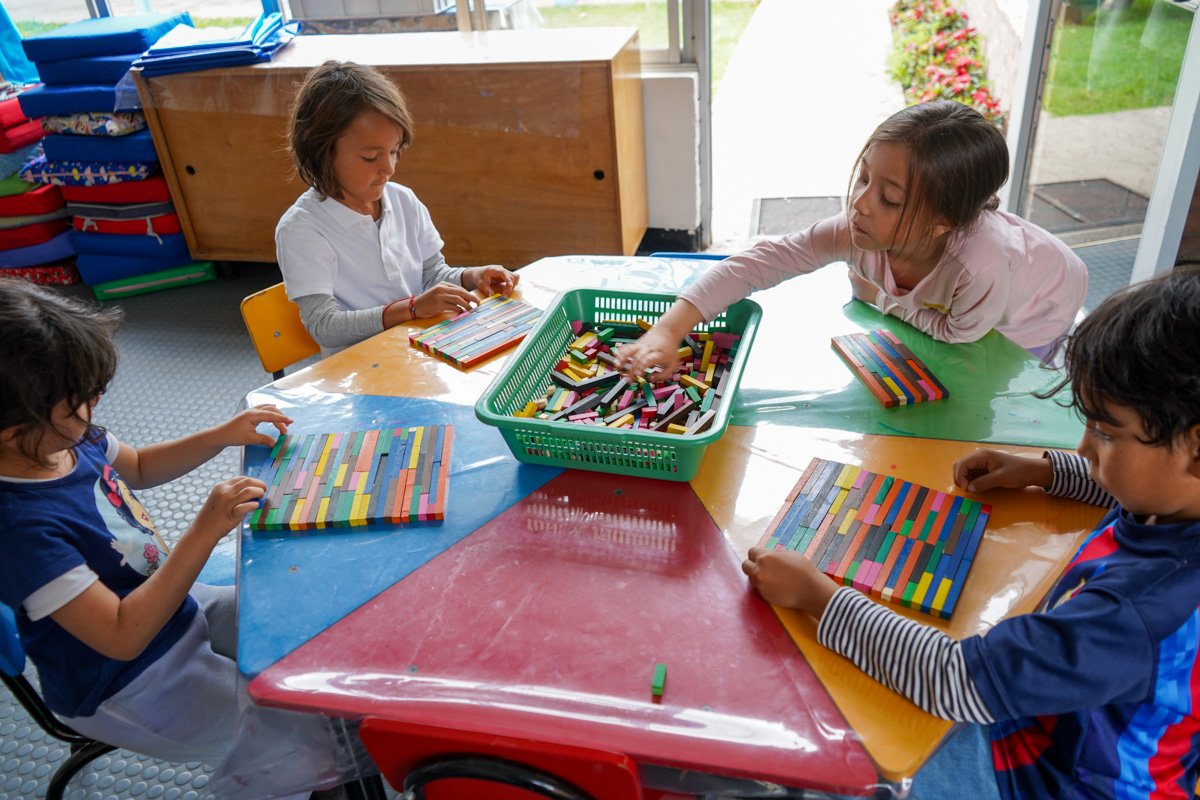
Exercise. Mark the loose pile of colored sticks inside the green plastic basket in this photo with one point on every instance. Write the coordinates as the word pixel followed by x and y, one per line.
pixel 587 388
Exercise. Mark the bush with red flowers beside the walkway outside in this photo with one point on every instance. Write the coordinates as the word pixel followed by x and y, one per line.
pixel 938 56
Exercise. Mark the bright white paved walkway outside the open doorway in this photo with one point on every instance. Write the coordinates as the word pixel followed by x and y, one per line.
pixel 805 88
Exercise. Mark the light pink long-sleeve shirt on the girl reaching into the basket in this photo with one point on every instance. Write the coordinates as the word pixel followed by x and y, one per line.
pixel 1004 273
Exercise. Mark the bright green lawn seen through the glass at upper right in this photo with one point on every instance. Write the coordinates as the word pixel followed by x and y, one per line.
pixel 1118 61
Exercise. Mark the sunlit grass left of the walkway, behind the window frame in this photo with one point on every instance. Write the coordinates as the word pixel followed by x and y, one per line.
pixel 730 19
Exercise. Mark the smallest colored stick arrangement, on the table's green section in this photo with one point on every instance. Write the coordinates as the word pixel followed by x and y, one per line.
pixel 889 369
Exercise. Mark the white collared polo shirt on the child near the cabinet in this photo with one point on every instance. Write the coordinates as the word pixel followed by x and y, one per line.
pixel 326 249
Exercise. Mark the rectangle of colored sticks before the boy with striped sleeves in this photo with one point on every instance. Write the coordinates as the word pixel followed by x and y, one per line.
pixel 891 539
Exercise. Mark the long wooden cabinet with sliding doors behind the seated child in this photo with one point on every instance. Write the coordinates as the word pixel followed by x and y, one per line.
pixel 527 143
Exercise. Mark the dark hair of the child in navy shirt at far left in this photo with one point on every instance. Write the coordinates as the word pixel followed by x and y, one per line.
pixel 56 350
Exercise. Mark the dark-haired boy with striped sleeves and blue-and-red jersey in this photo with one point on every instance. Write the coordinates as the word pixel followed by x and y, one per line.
pixel 1095 695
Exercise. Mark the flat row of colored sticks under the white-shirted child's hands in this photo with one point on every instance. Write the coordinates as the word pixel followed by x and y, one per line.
pixel 495 324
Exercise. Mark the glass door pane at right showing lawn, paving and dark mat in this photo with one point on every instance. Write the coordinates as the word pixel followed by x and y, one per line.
pixel 1109 85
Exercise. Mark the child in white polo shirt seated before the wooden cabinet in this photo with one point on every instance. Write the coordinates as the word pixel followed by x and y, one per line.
pixel 358 252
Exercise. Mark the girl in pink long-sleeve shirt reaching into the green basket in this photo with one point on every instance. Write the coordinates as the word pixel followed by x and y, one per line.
pixel 923 240
